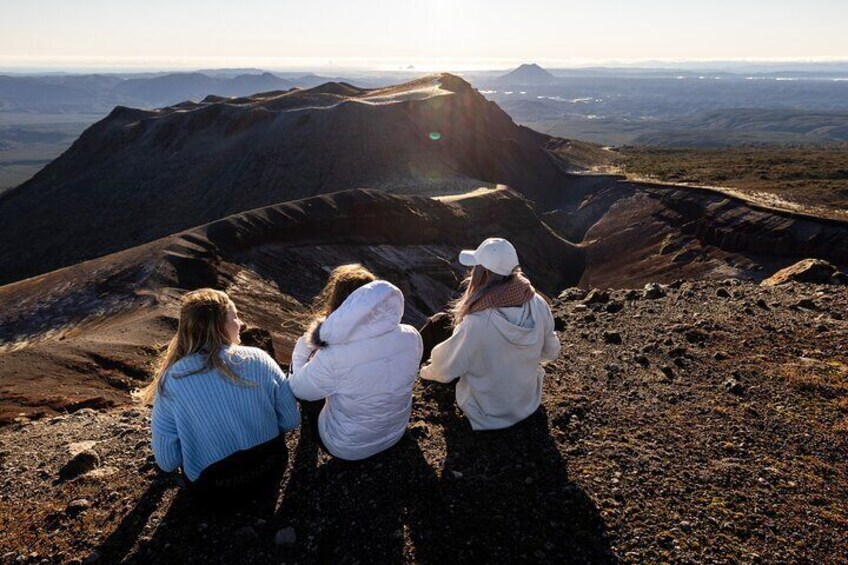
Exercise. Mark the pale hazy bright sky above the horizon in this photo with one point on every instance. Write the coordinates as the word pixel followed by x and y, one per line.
pixel 428 33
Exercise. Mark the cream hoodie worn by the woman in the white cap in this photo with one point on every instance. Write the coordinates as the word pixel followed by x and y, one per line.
pixel 496 355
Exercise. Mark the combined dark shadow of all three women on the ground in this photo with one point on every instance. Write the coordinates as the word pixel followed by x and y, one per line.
pixel 499 496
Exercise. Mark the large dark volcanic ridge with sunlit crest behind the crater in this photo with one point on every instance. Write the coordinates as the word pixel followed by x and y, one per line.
pixel 139 175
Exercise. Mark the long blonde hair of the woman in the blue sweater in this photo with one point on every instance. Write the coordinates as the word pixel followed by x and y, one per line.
pixel 202 329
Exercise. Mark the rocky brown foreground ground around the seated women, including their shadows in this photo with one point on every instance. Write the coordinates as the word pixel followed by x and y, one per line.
pixel 692 423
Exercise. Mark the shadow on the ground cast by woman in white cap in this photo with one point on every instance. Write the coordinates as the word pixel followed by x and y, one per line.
pixel 504 496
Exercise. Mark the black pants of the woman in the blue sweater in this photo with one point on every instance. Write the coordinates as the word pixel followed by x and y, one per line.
pixel 247 474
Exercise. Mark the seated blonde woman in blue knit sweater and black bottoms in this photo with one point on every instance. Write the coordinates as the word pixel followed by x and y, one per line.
pixel 219 409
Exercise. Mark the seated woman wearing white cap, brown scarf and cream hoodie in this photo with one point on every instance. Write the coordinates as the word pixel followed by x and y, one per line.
pixel 503 331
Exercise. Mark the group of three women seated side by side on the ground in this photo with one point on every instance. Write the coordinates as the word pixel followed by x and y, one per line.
pixel 221 410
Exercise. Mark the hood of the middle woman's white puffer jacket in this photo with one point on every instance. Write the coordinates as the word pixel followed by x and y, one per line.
pixel 372 310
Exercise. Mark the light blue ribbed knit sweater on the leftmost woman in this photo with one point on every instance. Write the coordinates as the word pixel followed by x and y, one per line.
pixel 204 417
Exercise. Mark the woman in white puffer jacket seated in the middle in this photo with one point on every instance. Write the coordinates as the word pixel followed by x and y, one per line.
pixel 360 361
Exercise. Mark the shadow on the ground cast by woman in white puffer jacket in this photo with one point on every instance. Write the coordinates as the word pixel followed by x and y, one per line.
pixel 353 511
